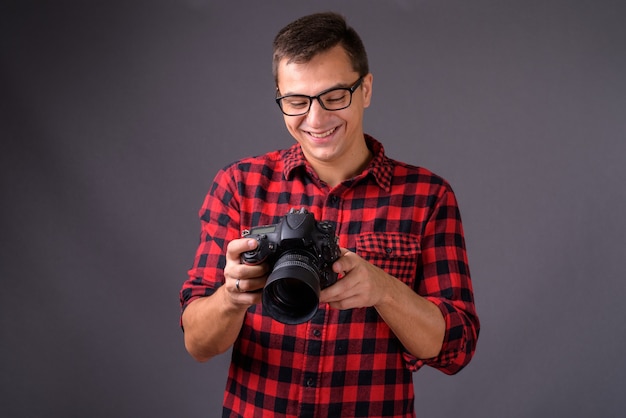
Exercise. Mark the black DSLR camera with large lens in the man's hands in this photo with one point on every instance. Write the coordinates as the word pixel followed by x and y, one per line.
pixel 301 252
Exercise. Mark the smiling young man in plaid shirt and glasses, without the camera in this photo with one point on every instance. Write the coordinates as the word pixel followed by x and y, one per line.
pixel 404 296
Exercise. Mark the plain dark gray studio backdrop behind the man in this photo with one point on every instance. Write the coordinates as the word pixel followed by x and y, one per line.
pixel 115 116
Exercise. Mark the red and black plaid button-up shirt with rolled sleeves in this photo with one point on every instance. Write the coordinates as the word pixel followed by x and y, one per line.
pixel 401 218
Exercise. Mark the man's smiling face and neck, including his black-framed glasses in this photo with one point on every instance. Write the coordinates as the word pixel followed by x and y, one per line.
pixel 328 127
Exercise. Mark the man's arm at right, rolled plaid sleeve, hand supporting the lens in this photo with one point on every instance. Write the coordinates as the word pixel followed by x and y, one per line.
pixel 435 319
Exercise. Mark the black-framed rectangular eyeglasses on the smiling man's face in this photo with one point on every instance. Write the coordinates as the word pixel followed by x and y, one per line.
pixel 331 99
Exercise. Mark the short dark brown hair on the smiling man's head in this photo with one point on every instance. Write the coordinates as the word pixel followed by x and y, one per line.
pixel 310 35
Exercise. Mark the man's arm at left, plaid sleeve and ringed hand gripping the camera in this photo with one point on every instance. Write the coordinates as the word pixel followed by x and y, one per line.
pixel 213 310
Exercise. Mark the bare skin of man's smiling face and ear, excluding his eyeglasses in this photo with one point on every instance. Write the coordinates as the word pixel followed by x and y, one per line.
pixel 328 138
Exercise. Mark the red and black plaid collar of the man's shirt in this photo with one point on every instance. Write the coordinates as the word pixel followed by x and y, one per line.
pixel 381 167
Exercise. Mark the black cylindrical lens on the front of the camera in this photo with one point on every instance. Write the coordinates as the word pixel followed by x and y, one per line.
pixel 291 294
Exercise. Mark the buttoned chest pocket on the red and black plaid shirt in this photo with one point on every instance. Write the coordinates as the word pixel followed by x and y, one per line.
pixel 397 254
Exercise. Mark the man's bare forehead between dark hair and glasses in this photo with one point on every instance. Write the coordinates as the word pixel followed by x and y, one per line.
pixel 328 69
